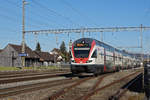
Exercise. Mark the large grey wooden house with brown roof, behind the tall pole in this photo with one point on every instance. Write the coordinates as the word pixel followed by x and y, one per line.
pixel 10 56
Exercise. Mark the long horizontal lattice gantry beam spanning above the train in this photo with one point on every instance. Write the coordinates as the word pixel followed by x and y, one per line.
pixel 80 30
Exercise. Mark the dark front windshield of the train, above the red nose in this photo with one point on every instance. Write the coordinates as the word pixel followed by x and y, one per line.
pixel 81 53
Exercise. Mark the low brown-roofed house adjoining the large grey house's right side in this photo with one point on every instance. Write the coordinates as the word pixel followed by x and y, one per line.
pixel 45 58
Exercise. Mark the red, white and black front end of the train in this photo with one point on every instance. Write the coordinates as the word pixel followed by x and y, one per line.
pixel 81 60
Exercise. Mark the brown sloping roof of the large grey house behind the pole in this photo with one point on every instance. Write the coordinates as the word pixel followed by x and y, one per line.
pixel 28 50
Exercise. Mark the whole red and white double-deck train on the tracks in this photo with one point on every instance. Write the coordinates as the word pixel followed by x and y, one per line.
pixel 92 56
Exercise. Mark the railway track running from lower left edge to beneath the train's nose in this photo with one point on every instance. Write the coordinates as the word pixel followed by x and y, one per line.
pixel 12 91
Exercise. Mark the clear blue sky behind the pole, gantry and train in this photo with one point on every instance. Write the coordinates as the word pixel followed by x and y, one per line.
pixel 56 14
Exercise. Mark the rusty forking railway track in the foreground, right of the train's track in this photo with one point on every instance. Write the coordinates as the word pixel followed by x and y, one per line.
pixel 69 93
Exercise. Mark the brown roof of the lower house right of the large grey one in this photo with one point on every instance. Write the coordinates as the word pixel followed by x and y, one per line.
pixel 45 56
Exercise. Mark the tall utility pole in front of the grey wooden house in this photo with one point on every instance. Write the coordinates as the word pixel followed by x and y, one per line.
pixel 23 33
